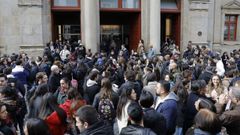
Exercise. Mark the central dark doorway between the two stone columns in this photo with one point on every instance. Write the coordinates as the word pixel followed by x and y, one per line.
pixel 119 28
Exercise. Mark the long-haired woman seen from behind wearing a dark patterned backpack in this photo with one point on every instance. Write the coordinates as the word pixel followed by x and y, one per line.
pixel 106 101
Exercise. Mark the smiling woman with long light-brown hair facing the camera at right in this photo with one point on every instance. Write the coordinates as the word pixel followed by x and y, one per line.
pixel 215 88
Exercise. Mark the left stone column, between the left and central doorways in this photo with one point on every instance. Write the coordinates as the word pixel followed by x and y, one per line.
pixel 90 24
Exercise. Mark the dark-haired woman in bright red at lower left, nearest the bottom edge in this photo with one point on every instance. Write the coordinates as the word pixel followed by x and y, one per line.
pixel 54 116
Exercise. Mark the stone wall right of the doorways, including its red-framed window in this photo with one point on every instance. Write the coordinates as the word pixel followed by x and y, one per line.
pixel 205 22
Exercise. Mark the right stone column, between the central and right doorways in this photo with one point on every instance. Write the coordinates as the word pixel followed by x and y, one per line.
pixel 155 24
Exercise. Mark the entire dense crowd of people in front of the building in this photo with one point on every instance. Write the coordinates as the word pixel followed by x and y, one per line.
pixel 70 90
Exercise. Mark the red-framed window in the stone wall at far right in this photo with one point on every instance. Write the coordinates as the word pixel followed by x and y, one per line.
pixel 230 28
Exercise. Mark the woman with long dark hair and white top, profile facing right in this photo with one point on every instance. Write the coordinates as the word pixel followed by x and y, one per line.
pixel 128 95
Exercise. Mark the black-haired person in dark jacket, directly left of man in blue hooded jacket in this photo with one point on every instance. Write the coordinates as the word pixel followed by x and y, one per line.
pixel 152 119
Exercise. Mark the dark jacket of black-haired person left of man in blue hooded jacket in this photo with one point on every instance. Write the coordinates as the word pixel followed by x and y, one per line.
pixel 155 121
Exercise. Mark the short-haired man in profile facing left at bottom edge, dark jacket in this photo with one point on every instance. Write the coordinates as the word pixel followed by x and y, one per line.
pixel 88 123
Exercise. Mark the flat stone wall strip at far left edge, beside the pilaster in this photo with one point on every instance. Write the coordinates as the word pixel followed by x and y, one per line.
pixel 10 30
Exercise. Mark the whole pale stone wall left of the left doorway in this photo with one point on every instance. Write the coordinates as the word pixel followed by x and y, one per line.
pixel 24 24
